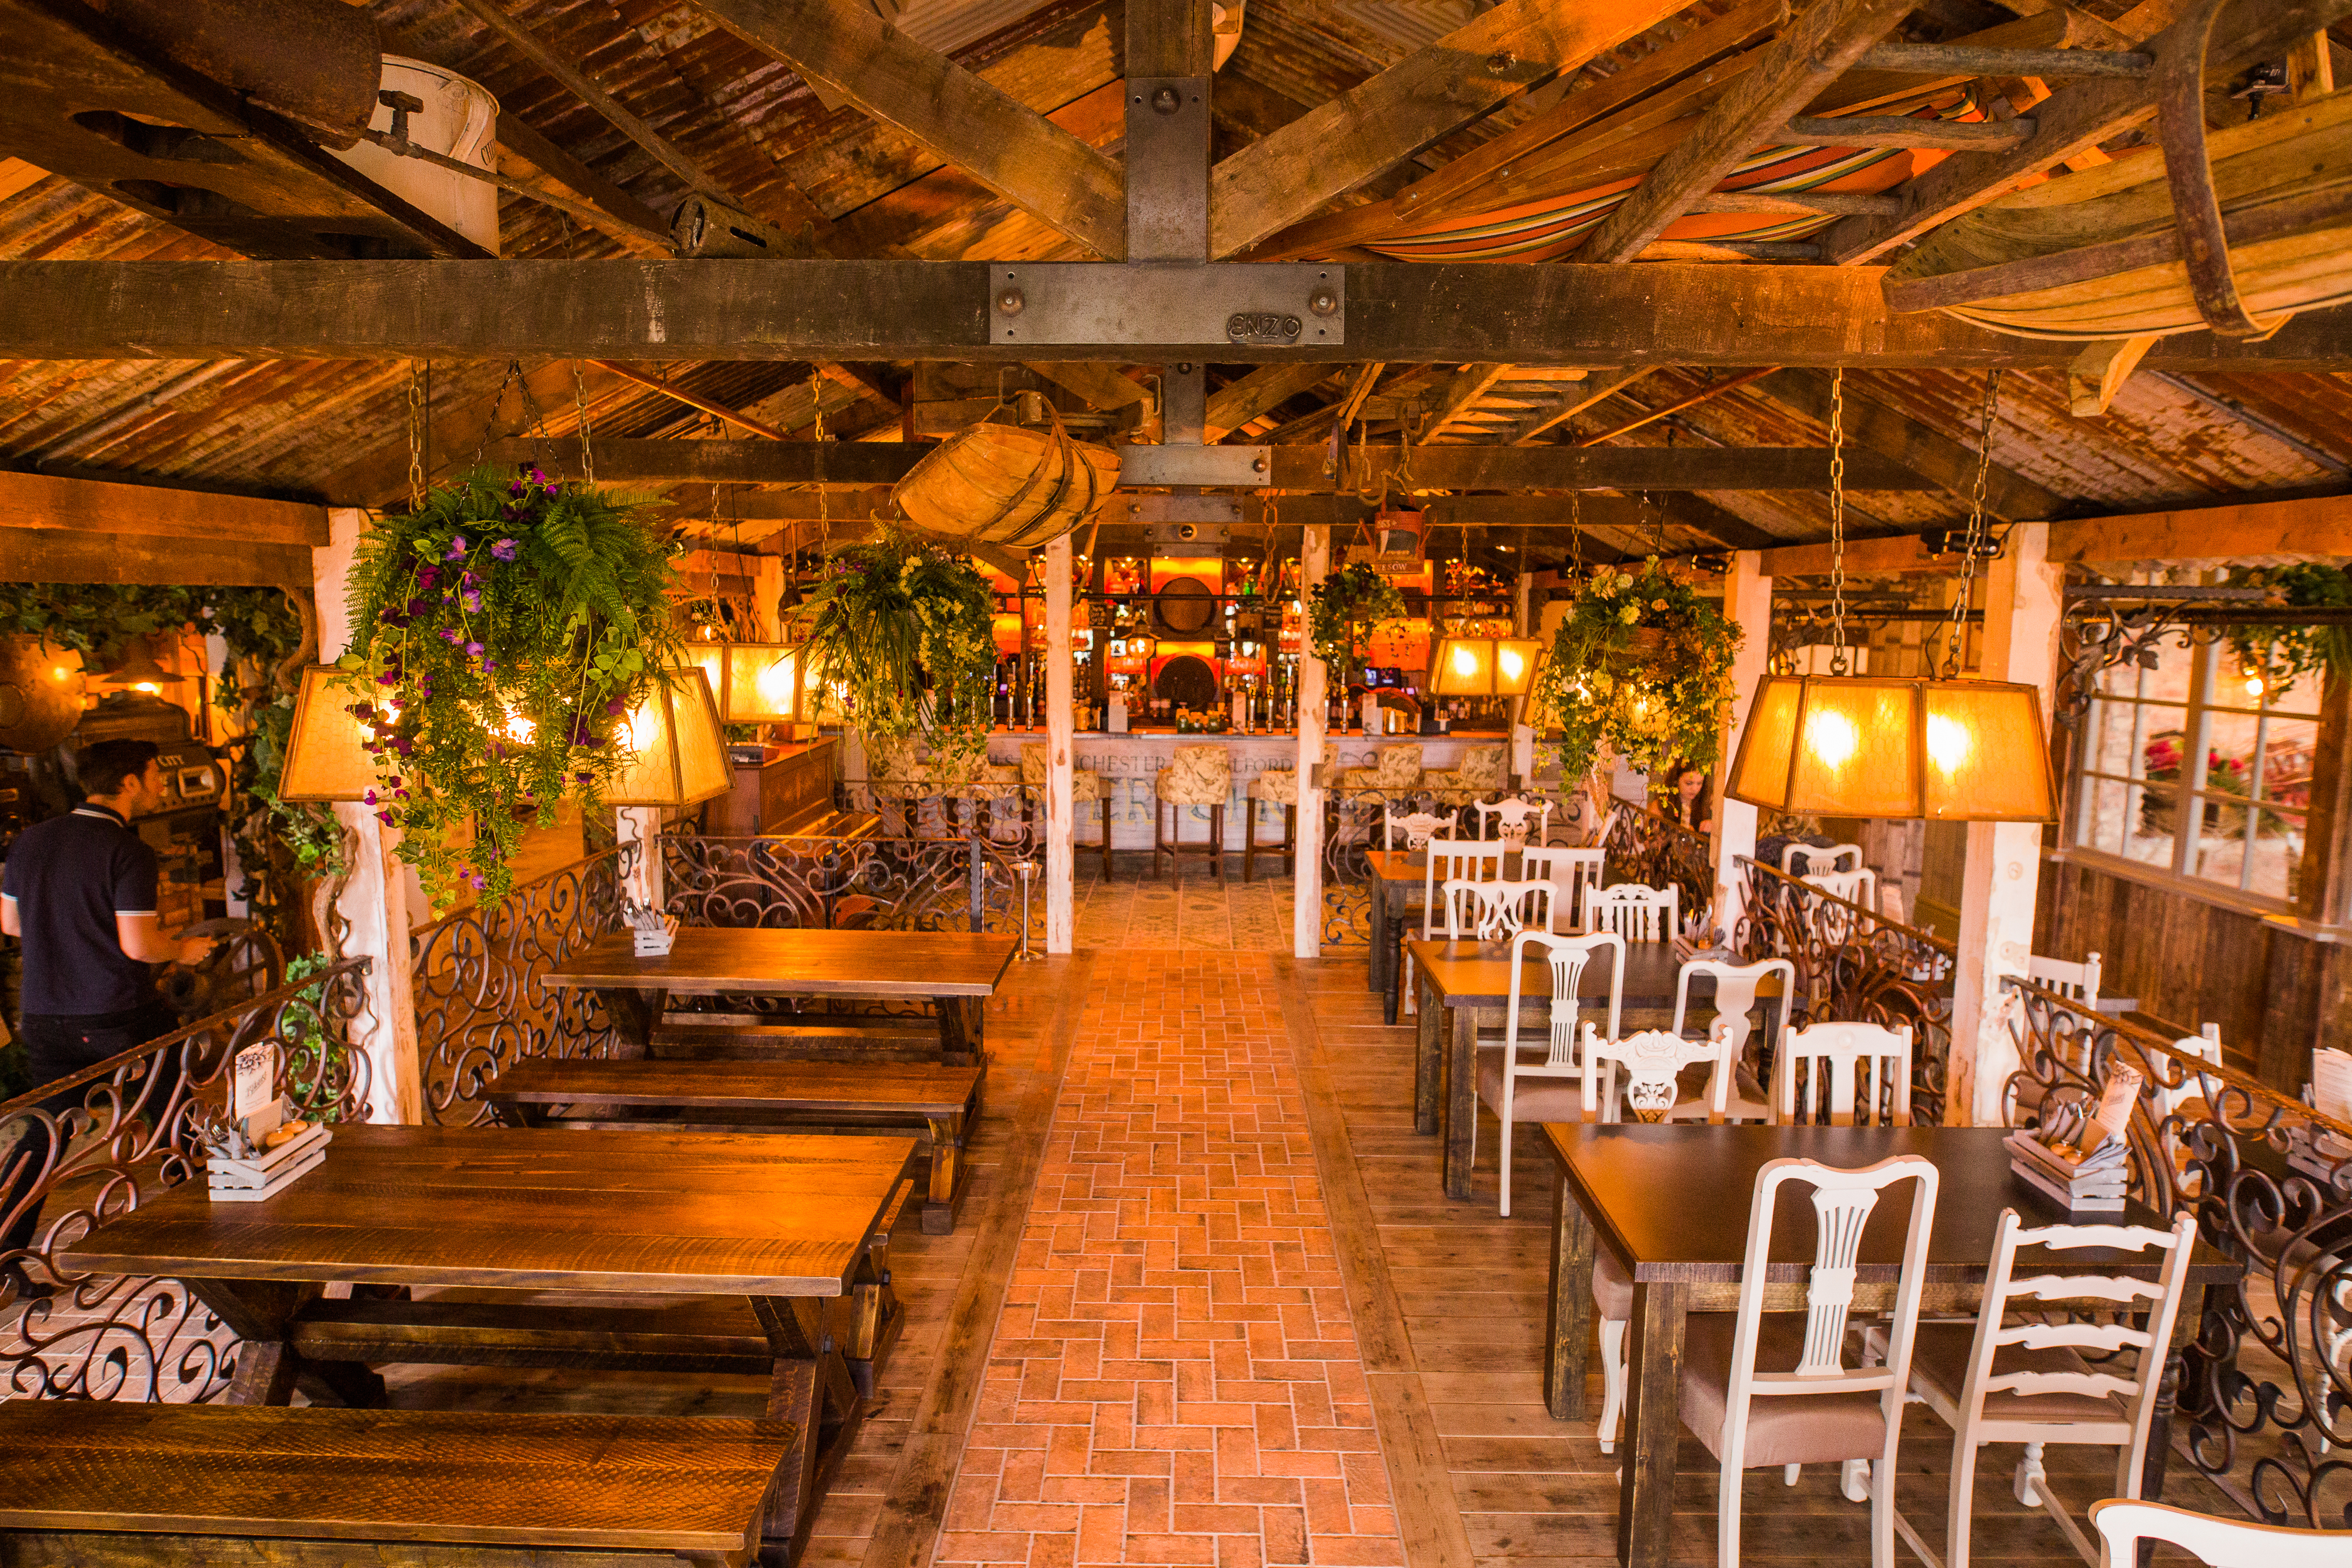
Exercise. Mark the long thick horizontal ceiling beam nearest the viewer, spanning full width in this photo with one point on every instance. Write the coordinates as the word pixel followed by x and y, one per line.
pixel 862 311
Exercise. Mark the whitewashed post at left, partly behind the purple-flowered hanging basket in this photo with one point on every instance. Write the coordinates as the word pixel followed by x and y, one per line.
pixel 377 897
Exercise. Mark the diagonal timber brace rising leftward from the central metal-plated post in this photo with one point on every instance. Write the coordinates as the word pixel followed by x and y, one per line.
pixel 951 112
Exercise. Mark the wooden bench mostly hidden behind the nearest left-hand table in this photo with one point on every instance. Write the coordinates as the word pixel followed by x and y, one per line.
pixel 679 1336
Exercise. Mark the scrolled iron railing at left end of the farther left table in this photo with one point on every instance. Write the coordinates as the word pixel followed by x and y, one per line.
pixel 481 984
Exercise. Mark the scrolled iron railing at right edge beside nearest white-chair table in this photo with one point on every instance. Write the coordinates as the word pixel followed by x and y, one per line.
pixel 2266 1393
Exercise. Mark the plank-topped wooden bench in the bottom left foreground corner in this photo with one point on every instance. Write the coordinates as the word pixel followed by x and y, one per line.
pixel 187 1485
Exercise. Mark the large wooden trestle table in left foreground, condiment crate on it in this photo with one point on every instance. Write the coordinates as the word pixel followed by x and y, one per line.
pixel 761 1235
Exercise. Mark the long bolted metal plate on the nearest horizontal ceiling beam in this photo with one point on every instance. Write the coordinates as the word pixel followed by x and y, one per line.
pixel 1170 304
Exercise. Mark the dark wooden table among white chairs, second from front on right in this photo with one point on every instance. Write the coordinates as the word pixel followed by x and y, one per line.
pixel 1457 984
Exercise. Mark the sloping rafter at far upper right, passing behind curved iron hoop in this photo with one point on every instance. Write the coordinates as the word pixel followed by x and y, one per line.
pixel 2073 123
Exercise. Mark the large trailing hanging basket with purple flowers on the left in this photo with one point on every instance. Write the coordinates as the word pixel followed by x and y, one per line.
pixel 502 636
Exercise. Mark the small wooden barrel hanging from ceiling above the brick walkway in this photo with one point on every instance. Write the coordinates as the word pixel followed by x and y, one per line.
pixel 1008 485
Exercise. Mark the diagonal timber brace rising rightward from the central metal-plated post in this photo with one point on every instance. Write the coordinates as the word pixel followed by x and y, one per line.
pixel 1401 112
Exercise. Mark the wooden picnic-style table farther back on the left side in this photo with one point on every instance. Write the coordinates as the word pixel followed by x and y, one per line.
pixel 956 972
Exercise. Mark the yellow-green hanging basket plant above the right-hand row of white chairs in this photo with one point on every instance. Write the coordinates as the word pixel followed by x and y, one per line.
pixel 1643 669
